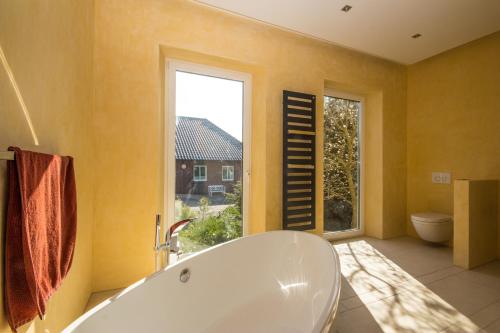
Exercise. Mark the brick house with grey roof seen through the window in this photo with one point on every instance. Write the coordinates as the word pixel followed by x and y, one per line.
pixel 206 157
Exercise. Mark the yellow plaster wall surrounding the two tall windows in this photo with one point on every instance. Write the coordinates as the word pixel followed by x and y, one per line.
pixel 133 37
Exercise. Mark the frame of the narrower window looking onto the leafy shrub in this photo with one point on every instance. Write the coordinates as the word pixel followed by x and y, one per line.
pixel 334 235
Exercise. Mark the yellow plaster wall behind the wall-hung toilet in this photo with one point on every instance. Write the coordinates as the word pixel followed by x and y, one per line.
pixel 453 122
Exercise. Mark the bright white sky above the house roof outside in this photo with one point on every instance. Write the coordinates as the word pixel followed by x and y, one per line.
pixel 218 100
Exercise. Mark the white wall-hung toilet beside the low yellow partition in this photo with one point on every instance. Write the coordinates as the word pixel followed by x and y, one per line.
pixel 433 227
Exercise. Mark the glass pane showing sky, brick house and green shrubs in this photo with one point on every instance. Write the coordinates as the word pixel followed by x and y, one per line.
pixel 209 159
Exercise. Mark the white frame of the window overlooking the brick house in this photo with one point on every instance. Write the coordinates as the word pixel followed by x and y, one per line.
pixel 171 67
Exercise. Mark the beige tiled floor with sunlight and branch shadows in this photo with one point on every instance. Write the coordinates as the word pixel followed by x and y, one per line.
pixel 406 285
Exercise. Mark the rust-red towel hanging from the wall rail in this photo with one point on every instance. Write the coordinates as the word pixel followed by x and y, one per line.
pixel 40 231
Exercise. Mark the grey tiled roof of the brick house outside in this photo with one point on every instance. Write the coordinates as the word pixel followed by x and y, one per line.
pixel 200 139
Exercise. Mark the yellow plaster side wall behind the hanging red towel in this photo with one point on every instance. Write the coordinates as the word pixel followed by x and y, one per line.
pixel 49 48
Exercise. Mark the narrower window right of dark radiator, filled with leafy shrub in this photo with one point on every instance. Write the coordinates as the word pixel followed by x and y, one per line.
pixel 342 156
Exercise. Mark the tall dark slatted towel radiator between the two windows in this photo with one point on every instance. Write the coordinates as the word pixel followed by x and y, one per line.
pixel 299 139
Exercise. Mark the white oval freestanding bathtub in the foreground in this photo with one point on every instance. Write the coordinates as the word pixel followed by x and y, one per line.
pixel 280 281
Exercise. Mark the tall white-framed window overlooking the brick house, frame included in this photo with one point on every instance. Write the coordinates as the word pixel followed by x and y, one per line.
pixel 206 110
